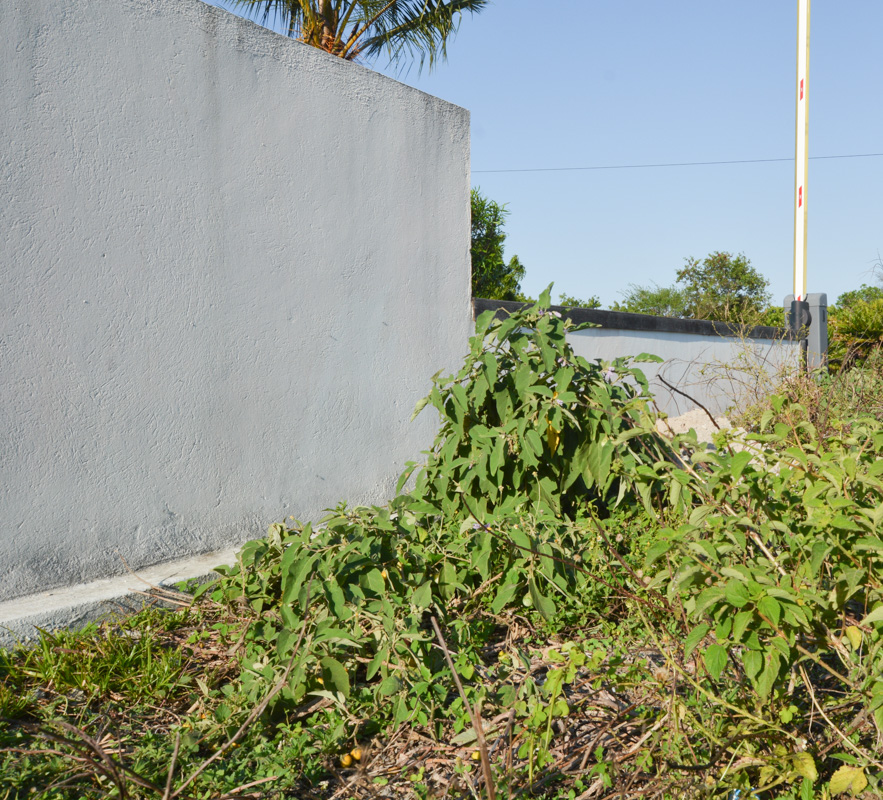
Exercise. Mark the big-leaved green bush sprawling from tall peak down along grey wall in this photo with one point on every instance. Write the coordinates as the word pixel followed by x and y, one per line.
pixel 532 437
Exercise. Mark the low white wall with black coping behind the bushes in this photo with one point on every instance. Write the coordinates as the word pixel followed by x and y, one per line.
pixel 716 364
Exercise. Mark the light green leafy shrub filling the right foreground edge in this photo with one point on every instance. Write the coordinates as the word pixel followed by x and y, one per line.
pixel 778 571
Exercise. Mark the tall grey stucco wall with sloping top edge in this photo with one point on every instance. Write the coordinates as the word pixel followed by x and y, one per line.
pixel 230 264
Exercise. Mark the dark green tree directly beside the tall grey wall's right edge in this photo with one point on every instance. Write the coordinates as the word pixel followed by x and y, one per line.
pixel 492 277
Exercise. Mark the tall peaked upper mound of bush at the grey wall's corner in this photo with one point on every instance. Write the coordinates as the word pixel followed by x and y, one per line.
pixel 527 425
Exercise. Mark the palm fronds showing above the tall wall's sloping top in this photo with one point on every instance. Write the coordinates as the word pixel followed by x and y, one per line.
pixel 362 29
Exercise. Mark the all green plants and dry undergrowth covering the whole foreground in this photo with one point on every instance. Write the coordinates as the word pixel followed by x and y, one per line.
pixel 564 604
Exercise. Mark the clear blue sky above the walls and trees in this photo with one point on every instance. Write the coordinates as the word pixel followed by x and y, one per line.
pixel 588 83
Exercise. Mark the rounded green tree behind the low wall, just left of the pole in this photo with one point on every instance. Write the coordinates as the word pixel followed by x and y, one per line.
pixel 721 287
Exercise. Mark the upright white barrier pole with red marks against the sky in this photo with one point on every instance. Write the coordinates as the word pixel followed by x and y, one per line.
pixel 801 154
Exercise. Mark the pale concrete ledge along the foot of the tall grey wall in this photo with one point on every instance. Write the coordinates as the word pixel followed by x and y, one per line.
pixel 76 606
